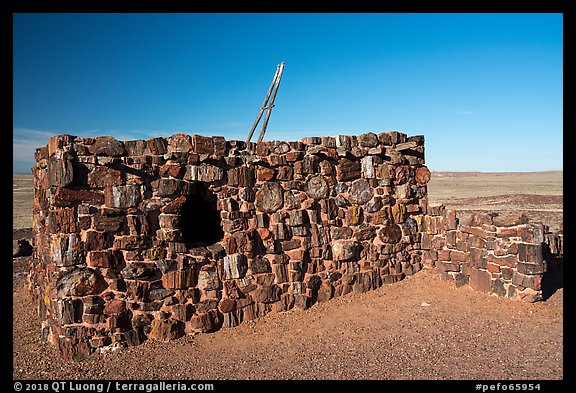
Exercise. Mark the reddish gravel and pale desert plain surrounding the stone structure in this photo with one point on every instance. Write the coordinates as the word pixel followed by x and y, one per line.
pixel 421 328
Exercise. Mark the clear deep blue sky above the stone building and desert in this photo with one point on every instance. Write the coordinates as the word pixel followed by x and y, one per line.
pixel 484 89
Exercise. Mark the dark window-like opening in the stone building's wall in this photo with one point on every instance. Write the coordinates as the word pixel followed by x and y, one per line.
pixel 200 221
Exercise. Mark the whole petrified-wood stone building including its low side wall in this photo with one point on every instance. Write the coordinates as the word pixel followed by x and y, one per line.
pixel 154 239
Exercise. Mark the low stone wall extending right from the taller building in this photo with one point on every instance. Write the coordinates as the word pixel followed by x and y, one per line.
pixel 505 256
